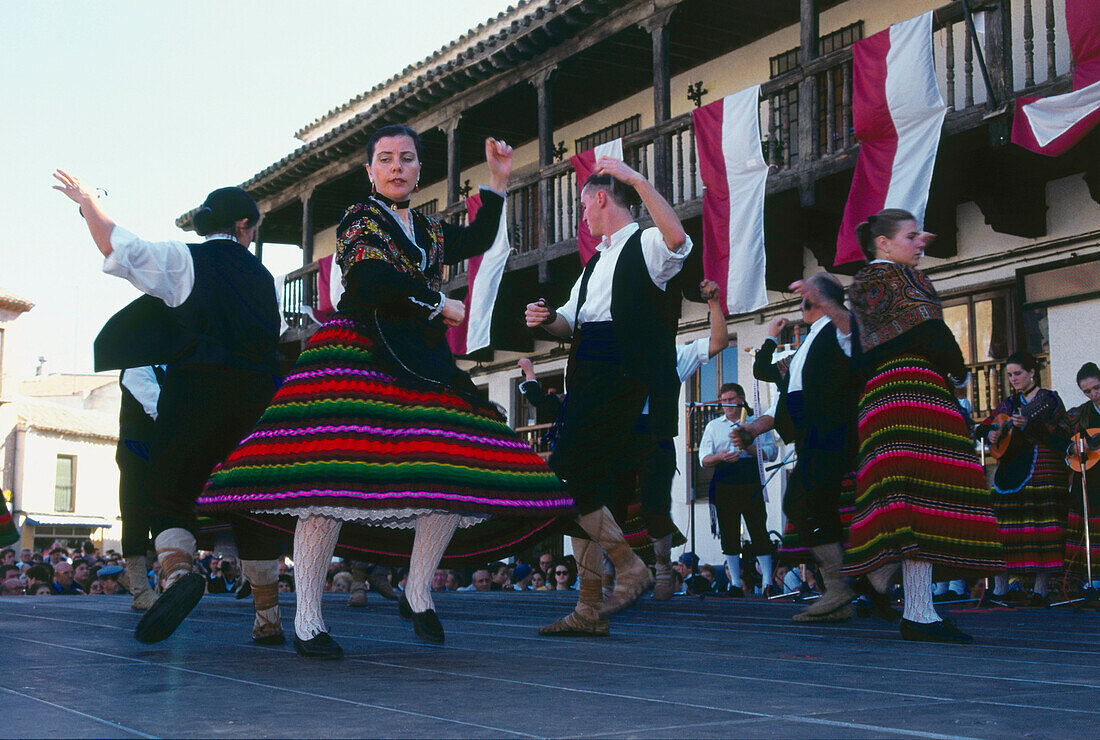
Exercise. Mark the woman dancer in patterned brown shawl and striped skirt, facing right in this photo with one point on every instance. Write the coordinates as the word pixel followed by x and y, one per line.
pixel 921 495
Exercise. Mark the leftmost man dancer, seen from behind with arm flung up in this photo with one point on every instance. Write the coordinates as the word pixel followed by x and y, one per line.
pixel 211 313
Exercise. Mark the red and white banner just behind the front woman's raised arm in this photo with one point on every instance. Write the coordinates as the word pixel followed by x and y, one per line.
pixel 483 277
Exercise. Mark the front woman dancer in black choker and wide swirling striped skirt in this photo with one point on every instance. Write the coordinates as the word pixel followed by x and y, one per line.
pixel 376 426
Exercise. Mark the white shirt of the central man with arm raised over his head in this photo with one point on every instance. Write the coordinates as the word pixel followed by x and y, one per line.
pixel 663 264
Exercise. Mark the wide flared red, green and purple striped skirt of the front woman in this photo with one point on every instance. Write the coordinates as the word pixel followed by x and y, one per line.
pixel 349 438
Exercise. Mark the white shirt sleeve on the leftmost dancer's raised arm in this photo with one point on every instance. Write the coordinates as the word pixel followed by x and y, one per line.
pixel 162 270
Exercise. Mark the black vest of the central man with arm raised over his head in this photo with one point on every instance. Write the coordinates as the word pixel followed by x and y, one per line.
pixel 645 323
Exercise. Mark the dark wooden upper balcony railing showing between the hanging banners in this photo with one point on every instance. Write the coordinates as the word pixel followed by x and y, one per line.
pixel 544 207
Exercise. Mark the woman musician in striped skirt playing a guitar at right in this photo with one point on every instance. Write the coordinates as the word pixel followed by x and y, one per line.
pixel 1030 484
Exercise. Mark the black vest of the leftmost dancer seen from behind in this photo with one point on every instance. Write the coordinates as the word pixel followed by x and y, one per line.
pixel 230 319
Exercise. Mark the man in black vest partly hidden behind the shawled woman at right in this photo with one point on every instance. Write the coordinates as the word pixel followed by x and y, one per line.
pixel 817 411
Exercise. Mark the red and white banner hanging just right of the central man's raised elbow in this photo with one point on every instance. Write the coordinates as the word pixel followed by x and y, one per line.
pixel 734 172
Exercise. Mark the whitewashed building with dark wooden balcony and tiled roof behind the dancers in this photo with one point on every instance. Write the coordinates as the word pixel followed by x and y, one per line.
pixel 1019 246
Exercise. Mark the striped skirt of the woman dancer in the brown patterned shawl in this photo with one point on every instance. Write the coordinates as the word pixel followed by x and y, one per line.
pixel 920 490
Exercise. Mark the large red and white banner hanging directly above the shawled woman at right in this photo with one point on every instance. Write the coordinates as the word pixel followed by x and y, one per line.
pixel 898 114
